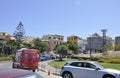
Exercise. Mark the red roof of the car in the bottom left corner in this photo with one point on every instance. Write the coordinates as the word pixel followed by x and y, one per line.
pixel 10 73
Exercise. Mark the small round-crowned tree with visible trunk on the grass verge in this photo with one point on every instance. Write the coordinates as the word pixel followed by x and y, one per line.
pixel 62 50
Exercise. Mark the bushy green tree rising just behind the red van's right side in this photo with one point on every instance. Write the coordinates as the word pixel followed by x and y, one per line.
pixel 40 45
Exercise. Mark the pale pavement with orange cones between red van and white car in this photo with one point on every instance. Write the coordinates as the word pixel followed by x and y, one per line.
pixel 47 71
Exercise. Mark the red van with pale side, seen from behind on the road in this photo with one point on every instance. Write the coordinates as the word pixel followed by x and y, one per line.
pixel 26 59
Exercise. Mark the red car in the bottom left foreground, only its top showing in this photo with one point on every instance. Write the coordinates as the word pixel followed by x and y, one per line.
pixel 18 73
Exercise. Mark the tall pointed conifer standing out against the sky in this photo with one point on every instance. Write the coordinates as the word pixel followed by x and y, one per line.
pixel 19 34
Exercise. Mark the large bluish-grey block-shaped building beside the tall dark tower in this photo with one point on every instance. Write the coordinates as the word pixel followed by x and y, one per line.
pixel 95 42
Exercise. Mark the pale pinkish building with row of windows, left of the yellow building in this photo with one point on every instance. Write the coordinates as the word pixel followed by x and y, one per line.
pixel 53 40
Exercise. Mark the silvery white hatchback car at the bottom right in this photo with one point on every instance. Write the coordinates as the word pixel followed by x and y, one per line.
pixel 85 69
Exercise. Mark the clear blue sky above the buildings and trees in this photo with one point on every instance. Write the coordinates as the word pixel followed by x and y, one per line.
pixel 63 17
